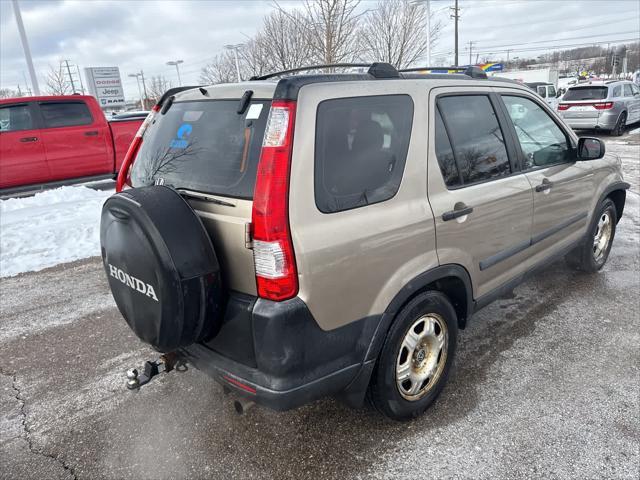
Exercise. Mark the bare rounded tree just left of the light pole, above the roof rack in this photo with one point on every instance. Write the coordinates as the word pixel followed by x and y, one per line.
pixel 396 32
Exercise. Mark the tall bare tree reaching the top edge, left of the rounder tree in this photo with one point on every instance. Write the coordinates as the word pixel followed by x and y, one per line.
pixel 332 30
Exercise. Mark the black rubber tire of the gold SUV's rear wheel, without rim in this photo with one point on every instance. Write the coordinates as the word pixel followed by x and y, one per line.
pixel 384 392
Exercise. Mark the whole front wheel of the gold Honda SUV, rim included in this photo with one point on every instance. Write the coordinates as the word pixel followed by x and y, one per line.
pixel 593 253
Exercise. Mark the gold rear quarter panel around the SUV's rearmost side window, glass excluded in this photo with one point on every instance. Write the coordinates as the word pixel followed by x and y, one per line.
pixel 352 263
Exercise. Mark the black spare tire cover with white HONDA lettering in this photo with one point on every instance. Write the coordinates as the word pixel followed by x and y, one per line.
pixel 161 266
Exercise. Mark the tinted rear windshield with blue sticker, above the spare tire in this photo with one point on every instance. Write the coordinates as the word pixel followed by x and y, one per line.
pixel 205 146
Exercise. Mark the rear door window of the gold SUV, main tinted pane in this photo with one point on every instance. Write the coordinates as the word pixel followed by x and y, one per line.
pixel 476 137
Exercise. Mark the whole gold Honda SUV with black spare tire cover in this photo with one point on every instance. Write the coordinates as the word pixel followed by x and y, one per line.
pixel 302 235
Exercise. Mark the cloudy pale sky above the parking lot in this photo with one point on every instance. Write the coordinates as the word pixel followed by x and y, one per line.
pixel 137 34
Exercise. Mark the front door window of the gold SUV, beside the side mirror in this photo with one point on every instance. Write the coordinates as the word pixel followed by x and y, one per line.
pixel 543 142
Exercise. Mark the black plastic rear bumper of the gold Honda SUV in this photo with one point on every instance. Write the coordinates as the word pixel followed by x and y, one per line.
pixel 275 354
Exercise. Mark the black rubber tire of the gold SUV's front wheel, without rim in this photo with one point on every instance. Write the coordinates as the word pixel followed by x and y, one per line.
pixel 584 257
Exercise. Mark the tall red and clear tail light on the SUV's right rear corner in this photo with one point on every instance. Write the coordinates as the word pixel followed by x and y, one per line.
pixel 276 275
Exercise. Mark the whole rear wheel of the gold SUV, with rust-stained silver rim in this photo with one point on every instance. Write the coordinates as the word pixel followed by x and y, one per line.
pixel 415 360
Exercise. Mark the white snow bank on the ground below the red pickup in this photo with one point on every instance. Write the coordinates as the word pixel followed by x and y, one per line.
pixel 52 227
